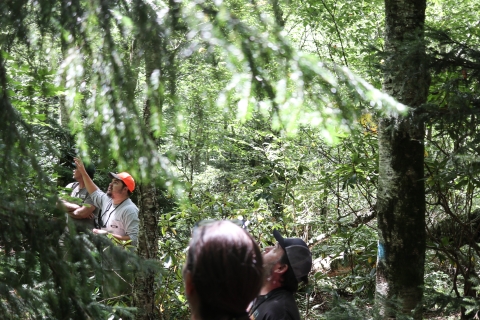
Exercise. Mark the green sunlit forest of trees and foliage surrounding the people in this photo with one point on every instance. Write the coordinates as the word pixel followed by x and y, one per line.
pixel 348 124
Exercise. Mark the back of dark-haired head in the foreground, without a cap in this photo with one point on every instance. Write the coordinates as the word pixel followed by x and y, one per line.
pixel 223 272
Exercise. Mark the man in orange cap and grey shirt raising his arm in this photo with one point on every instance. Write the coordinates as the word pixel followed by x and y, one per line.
pixel 119 215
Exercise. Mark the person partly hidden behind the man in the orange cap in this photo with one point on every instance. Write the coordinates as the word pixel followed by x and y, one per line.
pixel 84 214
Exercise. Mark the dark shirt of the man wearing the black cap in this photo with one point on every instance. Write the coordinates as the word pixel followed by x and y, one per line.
pixel 278 304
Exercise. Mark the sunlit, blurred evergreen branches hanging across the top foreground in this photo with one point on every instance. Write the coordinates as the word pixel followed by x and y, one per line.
pixel 268 75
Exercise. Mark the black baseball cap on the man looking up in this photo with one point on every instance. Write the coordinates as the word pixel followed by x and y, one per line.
pixel 298 254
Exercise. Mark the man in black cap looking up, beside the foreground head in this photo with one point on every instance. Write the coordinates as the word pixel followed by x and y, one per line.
pixel 285 265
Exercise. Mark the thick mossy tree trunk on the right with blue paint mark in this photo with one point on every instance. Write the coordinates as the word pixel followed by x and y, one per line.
pixel 401 192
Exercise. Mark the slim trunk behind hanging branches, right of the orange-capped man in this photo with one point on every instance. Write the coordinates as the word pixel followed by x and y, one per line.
pixel 160 63
